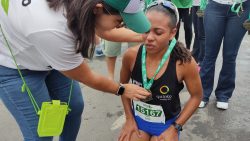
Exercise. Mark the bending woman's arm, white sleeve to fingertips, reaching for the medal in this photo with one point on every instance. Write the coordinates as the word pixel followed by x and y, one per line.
pixel 57 48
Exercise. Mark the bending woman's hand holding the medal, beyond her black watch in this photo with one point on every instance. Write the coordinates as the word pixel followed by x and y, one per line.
pixel 135 92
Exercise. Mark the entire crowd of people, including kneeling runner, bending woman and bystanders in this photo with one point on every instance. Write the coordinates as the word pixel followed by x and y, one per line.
pixel 46 60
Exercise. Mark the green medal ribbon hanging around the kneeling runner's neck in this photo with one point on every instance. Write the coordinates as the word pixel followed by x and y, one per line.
pixel 147 85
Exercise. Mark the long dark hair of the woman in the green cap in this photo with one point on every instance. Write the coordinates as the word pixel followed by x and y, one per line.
pixel 81 21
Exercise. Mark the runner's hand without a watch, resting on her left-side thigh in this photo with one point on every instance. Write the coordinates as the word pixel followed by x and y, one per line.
pixel 128 129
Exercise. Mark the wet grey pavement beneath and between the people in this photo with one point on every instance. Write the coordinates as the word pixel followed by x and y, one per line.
pixel 103 113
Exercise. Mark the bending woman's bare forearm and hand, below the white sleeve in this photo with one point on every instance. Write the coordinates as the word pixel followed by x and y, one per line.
pixel 94 80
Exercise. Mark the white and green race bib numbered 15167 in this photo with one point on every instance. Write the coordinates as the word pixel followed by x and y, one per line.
pixel 148 112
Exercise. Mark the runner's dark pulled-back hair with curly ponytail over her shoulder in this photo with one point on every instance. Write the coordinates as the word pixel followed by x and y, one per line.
pixel 179 53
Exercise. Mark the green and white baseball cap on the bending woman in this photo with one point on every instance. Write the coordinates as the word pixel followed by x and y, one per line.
pixel 132 14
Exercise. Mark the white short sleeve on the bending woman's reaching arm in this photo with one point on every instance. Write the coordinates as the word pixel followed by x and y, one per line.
pixel 57 48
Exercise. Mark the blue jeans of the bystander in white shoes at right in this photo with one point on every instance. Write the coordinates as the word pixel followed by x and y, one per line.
pixel 221 25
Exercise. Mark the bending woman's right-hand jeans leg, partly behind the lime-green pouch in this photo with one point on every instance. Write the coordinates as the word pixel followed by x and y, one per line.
pixel 59 88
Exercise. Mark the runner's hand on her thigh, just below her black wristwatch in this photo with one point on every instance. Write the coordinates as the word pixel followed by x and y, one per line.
pixel 170 134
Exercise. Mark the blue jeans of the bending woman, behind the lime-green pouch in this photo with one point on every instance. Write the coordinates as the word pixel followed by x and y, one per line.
pixel 44 85
